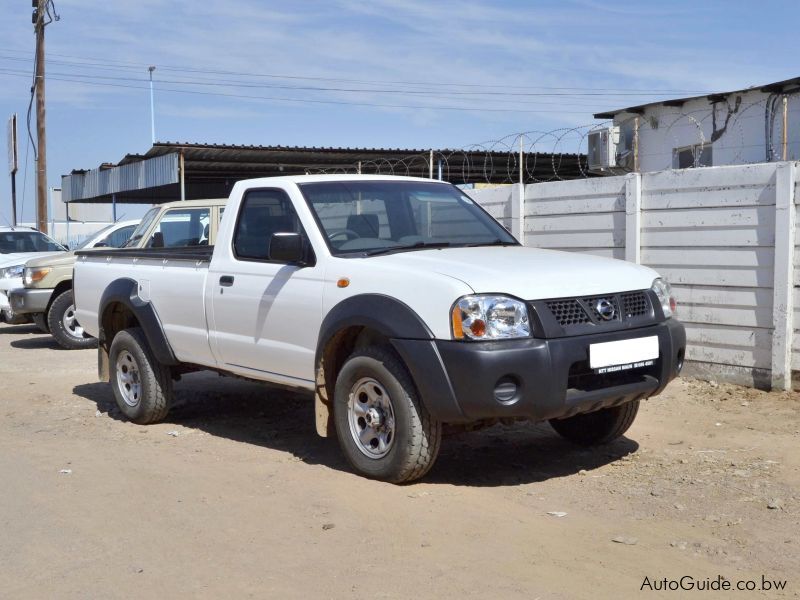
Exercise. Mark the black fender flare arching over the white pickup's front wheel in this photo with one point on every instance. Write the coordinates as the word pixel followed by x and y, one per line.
pixel 411 338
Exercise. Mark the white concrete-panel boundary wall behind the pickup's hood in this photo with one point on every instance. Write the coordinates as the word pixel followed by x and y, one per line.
pixel 725 238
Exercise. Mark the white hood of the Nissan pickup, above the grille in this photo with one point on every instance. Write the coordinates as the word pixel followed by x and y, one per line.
pixel 527 273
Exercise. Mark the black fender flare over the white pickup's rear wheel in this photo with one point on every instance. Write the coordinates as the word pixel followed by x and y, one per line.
pixel 125 291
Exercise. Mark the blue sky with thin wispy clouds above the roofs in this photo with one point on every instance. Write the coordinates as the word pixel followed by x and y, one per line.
pixel 250 72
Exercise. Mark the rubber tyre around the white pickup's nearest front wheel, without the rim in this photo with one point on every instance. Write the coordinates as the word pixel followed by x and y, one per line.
pixel 417 436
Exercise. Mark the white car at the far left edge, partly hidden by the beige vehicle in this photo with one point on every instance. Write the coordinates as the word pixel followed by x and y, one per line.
pixel 18 245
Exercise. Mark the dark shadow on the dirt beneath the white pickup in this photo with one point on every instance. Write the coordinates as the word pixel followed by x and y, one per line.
pixel 253 413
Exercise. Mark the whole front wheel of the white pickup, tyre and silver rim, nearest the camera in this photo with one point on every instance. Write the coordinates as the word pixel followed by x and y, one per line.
pixel 383 427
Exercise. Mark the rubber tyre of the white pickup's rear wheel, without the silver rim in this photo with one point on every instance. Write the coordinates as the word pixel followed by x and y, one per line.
pixel 155 397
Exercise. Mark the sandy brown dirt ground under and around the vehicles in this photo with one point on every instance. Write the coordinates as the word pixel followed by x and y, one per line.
pixel 235 496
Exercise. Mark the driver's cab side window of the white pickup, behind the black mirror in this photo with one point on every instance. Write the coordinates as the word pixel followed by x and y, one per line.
pixel 263 213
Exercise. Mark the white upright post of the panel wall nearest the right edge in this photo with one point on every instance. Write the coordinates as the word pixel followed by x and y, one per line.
pixel 783 281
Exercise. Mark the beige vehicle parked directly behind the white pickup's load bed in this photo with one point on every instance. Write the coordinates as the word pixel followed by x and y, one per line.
pixel 47 282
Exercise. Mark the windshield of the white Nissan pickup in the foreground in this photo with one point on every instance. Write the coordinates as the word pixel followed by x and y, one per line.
pixel 379 217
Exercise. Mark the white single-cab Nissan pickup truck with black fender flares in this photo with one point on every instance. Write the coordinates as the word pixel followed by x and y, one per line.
pixel 400 303
